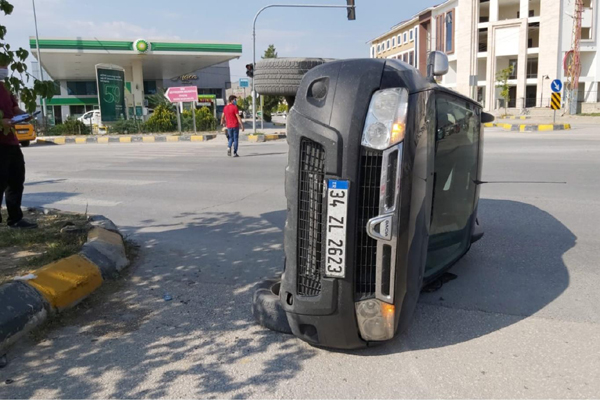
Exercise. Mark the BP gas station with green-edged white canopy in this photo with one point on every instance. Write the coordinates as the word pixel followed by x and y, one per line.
pixel 149 66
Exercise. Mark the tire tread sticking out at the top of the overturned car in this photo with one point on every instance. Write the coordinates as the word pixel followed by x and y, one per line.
pixel 282 76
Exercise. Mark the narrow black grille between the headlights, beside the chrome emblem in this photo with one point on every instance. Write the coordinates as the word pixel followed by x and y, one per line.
pixel 368 207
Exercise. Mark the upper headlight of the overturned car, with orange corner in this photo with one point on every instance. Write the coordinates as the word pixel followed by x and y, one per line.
pixel 386 119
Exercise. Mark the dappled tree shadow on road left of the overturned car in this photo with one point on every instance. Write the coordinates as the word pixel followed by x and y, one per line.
pixel 129 339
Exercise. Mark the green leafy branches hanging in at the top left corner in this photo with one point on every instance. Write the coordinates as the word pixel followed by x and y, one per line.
pixel 19 77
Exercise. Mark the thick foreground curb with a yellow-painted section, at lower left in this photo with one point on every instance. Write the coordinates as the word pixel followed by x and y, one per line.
pixel 62 284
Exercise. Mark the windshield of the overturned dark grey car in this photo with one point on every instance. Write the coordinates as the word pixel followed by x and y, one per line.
pixel 456 164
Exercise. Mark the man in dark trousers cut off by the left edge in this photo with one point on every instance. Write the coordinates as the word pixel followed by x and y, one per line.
pixel 12 163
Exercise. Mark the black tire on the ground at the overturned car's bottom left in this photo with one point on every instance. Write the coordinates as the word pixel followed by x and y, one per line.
pixel 267 308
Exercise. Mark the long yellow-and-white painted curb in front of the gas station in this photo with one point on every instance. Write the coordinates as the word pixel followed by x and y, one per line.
pixel 124 139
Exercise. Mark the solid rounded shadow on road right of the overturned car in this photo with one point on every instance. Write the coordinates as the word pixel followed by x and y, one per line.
pixel 515 271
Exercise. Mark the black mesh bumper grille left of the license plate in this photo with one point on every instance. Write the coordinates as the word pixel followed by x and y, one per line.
pixel 310 217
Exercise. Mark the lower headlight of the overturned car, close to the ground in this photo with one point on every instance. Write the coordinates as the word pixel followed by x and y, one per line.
pixel 375 320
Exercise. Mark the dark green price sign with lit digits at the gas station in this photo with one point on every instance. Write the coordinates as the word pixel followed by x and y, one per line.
pixel 111 92
